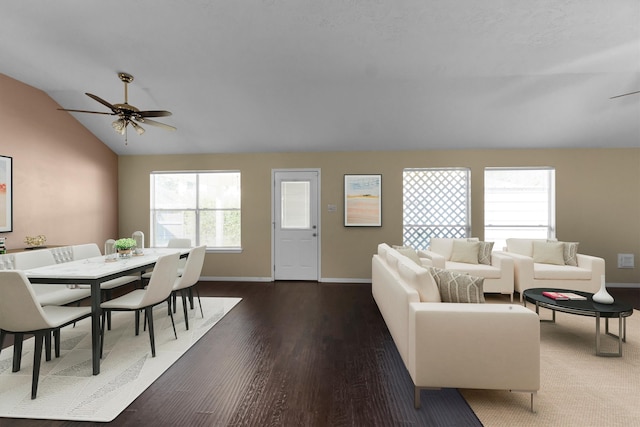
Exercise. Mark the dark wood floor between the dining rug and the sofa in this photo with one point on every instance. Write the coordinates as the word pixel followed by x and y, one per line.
pixel 290 354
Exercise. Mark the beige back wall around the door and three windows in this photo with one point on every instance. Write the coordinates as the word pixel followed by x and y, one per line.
pixel 598 201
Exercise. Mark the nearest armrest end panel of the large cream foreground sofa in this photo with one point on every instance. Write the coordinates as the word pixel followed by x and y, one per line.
pixel 488 346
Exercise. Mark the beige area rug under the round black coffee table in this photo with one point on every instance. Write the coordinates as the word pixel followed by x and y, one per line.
pixel 577 388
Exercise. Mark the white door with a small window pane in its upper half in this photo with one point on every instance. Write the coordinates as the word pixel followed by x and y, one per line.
pixel 295 220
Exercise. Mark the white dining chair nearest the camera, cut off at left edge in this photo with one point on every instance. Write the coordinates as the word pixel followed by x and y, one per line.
pixel 21 313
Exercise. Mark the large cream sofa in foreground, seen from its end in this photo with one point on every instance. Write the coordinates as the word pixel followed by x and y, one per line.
pixel 454 345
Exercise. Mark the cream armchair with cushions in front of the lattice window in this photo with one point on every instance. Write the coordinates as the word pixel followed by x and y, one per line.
pixel 473 257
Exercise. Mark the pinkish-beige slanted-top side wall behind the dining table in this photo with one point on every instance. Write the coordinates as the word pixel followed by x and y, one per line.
pixel 64 178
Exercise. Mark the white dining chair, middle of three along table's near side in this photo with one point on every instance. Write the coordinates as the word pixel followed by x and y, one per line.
pixel 158 291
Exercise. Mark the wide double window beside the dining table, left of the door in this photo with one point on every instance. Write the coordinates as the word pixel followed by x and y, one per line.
pixel 203 206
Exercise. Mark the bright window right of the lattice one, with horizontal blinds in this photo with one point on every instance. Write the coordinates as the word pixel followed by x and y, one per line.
pixel 519 203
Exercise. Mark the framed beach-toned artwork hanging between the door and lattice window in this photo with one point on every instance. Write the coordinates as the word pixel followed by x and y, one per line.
pixel 363 200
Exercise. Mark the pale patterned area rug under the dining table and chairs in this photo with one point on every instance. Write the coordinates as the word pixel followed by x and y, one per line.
pixel 68 391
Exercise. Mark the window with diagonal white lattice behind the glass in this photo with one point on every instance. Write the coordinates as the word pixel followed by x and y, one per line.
pixel 436 203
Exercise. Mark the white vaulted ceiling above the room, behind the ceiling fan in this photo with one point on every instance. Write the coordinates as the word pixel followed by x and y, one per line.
pixel 320 75
